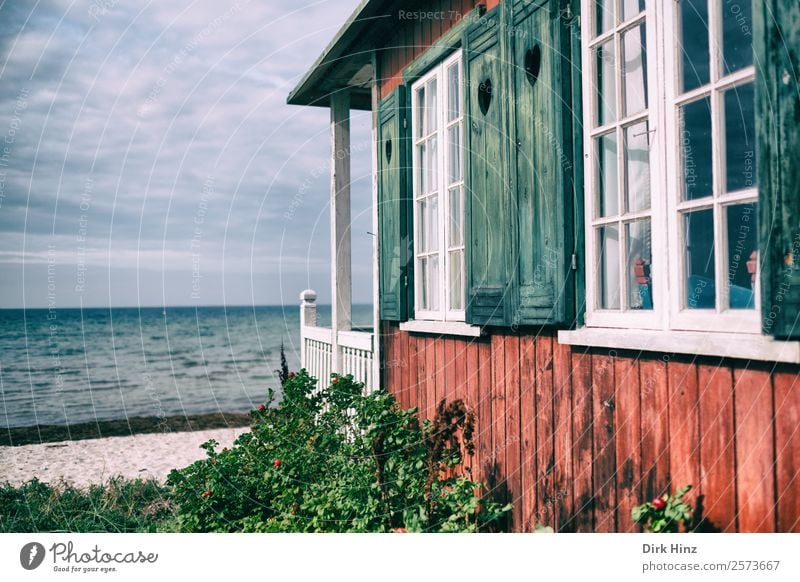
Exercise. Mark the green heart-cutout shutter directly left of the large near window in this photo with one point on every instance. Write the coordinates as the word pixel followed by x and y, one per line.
pixel 541 163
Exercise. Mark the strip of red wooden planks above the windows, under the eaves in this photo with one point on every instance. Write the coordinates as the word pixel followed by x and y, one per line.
pixel 416 36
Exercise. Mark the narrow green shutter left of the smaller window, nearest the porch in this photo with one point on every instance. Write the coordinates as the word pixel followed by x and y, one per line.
pixel 394 241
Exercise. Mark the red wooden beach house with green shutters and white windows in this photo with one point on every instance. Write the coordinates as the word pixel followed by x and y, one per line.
pixel 587 219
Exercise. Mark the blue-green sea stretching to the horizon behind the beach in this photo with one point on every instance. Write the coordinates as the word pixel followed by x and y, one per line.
pixel 65 366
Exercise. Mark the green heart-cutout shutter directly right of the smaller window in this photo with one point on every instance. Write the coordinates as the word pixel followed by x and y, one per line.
pixel 486 202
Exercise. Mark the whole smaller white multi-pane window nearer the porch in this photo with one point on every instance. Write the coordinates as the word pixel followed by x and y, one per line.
pixel 437 129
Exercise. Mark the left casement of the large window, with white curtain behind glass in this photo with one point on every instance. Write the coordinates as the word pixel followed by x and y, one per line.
pixel 621 125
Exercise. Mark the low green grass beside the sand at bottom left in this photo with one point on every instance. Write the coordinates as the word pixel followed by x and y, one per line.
pixel 118 506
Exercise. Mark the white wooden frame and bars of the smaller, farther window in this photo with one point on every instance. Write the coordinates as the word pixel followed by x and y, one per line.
pixel 439 71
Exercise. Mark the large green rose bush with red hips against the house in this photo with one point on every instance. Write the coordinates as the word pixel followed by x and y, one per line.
pixel 336 460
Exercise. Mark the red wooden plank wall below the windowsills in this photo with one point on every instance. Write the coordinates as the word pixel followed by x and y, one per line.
pixel 575 438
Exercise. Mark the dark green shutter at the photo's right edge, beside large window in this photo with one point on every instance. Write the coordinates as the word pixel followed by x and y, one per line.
pixel 777 46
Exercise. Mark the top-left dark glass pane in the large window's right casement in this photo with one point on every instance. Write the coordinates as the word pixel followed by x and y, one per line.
pixel 693 52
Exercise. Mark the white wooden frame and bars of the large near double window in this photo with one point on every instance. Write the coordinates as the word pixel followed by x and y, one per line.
pixel 668 252
